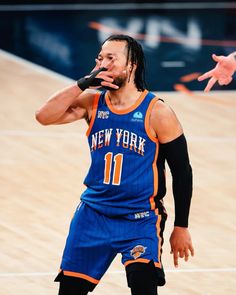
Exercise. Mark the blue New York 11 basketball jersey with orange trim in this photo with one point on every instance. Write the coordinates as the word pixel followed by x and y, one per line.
pixel 123 175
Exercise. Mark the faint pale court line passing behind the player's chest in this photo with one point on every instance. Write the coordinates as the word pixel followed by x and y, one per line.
pixel 80 134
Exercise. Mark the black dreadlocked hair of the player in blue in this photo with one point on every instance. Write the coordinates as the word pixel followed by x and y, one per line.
pixel 135 55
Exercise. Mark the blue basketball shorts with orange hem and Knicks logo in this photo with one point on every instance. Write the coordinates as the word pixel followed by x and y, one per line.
pixel 94 240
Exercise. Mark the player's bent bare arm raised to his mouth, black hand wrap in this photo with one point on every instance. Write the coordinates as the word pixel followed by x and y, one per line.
pixel 74 102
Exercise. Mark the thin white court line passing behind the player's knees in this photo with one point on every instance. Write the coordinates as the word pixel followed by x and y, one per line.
pixel 115 272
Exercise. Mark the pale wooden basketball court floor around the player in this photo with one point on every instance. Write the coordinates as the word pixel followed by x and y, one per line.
pixel 41 175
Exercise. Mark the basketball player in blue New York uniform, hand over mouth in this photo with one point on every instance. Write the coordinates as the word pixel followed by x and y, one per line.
pixel 130 135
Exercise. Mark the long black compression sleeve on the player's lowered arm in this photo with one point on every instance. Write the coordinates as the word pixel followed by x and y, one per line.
pixel 176 154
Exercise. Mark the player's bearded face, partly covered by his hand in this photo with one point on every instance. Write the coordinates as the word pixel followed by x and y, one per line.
pixel 113 56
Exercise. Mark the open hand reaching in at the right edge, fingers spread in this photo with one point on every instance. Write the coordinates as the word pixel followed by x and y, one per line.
pixel 223 71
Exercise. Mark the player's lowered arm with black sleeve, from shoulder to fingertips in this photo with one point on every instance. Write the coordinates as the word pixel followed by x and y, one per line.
pixel 170 134
